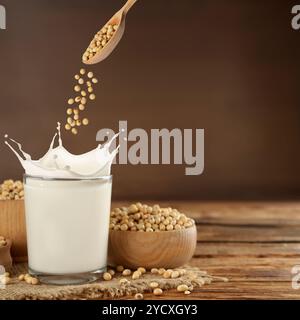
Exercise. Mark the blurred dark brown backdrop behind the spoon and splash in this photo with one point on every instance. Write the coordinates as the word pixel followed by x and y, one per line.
pixel 230 67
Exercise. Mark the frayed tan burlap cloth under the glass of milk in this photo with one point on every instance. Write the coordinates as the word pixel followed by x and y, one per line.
pixel 20 290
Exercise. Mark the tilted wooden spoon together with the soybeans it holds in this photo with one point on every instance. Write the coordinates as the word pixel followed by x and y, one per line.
pixel 106 40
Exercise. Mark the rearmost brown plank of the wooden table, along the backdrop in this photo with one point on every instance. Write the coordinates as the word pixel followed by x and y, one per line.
pixel 238 213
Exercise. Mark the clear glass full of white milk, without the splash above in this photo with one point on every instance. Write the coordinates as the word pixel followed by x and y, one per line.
pixel 67 222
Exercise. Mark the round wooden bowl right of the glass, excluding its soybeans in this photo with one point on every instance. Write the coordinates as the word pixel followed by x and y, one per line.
pixel 165 249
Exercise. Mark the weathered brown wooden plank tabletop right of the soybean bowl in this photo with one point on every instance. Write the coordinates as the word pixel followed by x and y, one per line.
pixel 254 244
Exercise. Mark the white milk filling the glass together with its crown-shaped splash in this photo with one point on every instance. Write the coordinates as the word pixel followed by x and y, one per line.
pixel 67 202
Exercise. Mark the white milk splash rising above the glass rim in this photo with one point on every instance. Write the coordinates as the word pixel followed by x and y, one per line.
pixel 61 164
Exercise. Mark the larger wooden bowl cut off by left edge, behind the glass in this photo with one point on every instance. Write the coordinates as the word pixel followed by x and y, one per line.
pixel 12 226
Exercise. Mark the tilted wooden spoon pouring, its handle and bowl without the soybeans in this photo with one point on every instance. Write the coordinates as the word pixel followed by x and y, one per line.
pixel 118 19
